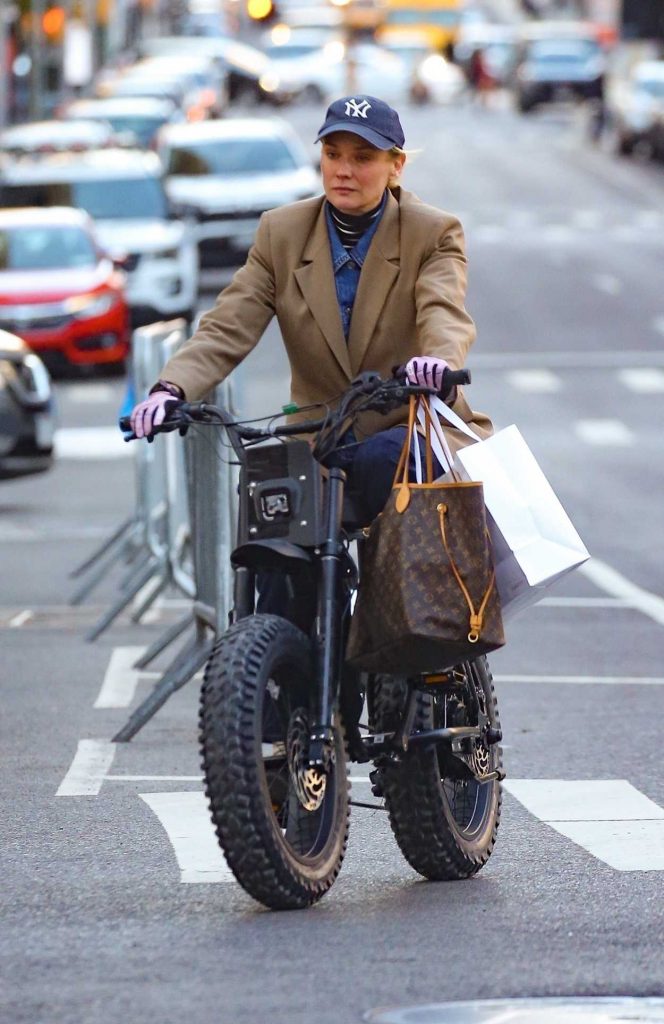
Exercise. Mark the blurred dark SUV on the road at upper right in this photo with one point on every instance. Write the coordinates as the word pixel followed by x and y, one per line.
pixel 553 69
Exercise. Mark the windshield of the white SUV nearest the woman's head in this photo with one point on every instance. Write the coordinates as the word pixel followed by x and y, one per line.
pixel 231 157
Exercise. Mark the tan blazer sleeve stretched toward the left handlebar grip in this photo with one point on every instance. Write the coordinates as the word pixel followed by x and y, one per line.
pixel 235 325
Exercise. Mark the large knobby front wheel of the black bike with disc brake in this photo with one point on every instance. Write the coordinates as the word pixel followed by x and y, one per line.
pixel 282 825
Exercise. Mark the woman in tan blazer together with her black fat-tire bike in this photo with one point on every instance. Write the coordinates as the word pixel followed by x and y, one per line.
pixel 362 279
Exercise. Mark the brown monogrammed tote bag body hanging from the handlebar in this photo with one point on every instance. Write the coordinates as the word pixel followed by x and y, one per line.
pixel 411 615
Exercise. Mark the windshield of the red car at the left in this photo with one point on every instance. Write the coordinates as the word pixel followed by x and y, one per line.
pixel 37 247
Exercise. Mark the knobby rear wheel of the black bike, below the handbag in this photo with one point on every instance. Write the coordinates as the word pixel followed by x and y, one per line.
pixel 444 820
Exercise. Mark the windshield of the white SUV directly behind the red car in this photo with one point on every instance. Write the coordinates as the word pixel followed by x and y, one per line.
pixel 104 199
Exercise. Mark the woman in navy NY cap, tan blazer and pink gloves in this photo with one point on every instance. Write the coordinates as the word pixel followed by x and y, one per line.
pixel 364 278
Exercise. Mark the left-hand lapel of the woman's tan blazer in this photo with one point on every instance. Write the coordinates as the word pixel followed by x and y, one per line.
pixel 316 282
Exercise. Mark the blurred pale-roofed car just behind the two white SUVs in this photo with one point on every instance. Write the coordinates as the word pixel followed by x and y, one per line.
pixel 136 119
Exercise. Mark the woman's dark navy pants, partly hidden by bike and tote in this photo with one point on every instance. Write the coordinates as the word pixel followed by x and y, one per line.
pixel 370 467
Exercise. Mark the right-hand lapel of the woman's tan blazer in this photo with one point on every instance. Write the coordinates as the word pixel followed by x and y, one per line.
pixel 379 275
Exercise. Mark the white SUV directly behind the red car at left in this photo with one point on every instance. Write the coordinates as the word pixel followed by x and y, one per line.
pixel 123 192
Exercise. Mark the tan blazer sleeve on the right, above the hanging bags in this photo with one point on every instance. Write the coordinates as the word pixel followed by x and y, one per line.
pixel 444 327
